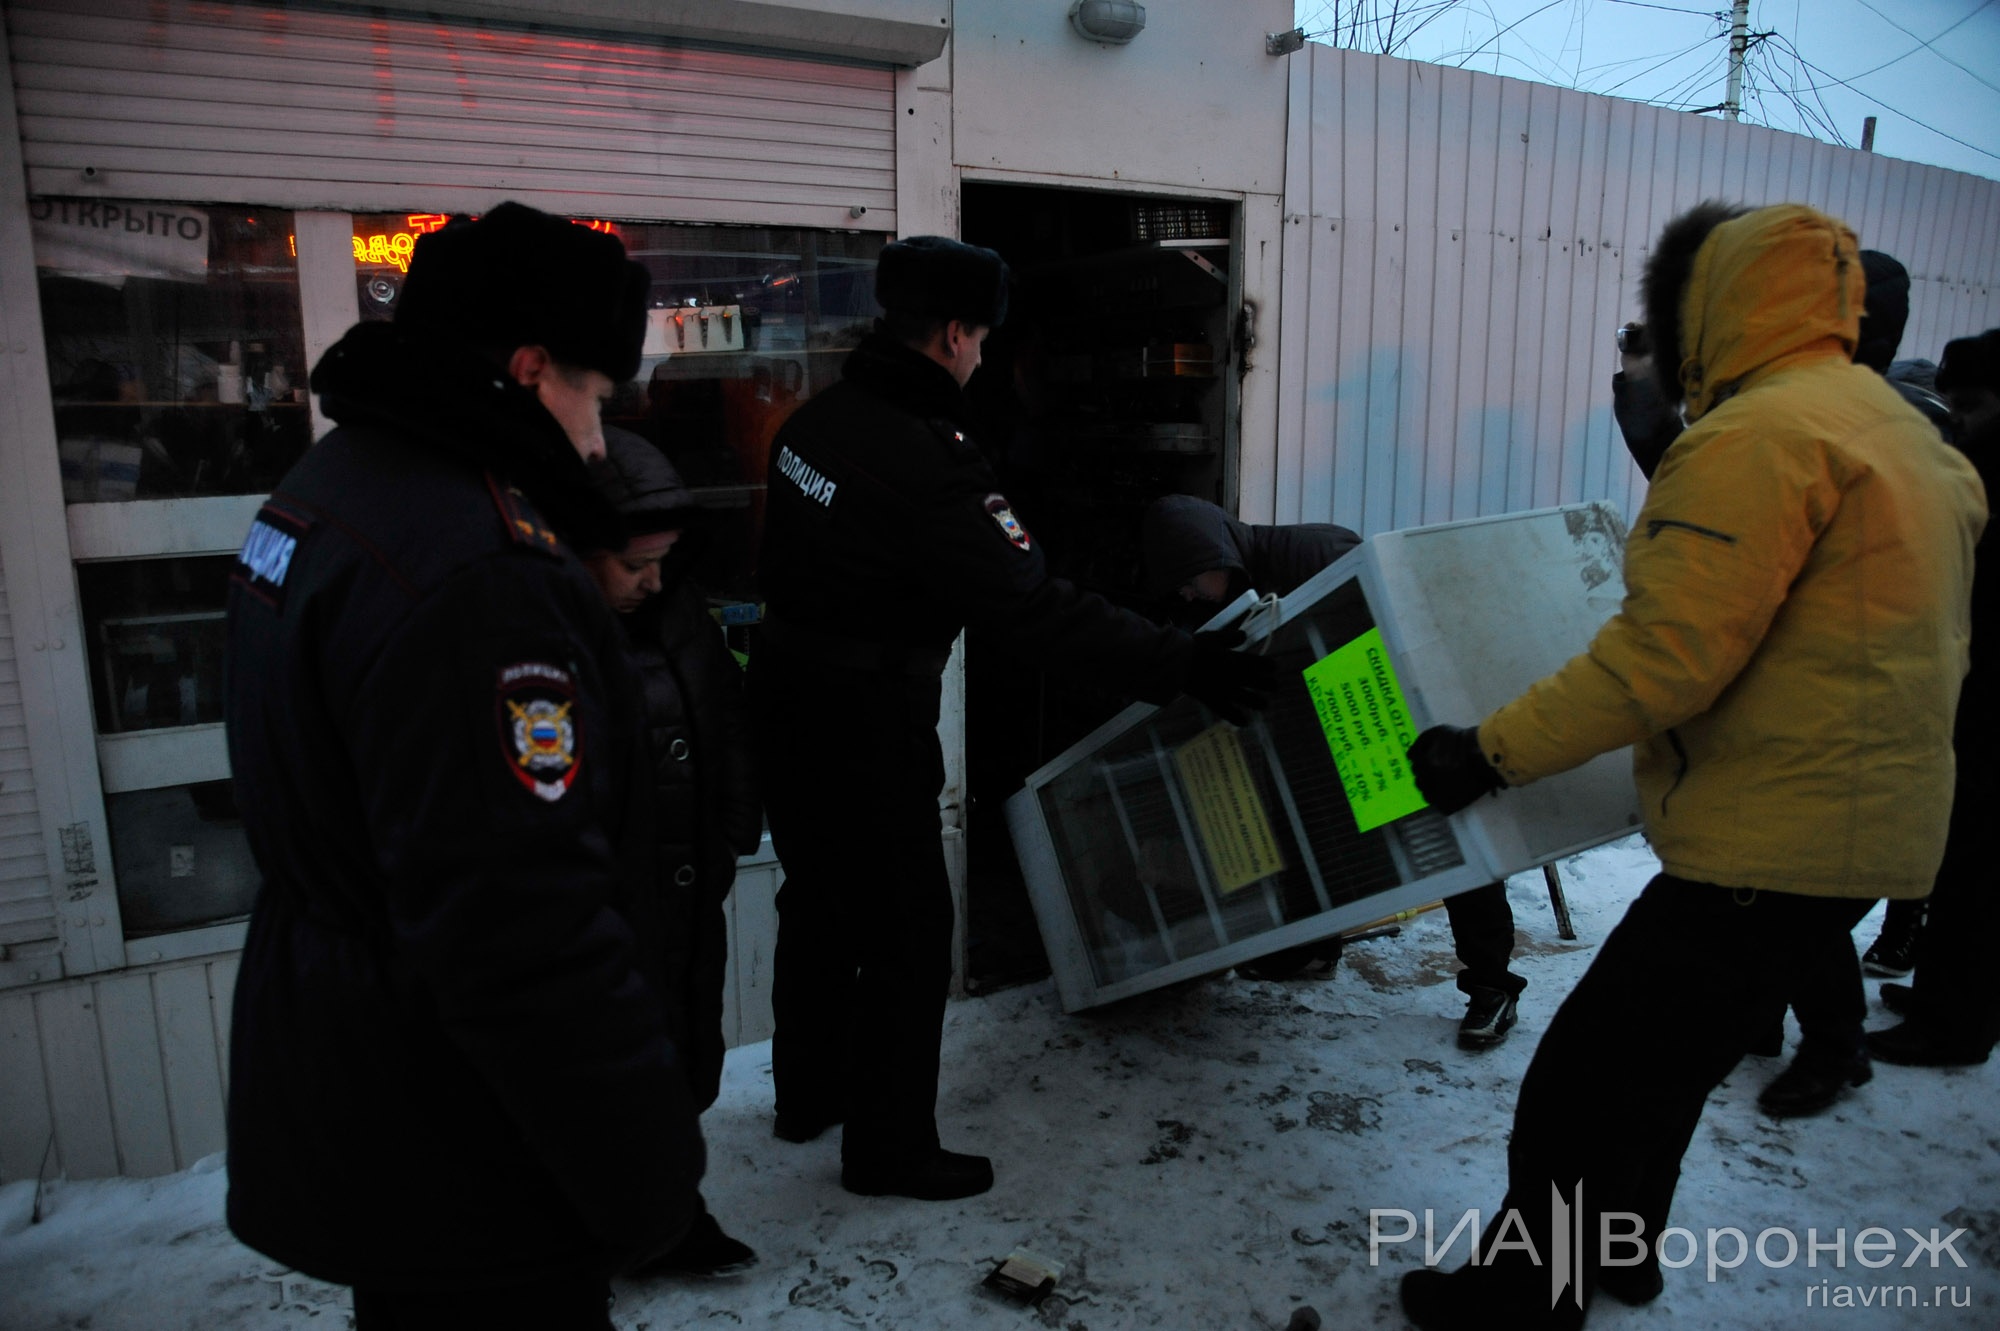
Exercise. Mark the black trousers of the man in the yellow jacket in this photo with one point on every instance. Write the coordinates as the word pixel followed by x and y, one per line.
pixel 1613 1094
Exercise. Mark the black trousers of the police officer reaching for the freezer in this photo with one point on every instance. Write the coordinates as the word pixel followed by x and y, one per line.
pixel 853 768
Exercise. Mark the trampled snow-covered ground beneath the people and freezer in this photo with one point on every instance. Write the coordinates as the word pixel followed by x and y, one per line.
pixel 1201 1158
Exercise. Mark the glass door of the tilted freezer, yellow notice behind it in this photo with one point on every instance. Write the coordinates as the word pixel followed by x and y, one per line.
pixel 1185 834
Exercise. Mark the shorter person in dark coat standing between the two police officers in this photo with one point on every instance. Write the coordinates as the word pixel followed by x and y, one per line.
pixel 705 778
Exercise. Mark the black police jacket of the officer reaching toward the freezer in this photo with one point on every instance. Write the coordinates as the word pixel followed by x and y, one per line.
pixel 887 527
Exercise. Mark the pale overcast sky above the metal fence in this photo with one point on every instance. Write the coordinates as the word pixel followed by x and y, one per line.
pixel 1927 69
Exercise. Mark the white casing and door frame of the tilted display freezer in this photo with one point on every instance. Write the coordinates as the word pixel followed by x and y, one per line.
pixel 1417 585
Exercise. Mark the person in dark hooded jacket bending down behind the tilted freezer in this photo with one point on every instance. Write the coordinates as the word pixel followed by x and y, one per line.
pixel 1203 555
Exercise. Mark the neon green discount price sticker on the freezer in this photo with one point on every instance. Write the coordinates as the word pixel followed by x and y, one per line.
pixel 1369 730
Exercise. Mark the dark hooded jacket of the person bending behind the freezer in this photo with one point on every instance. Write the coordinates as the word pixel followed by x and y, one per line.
pixel 1185 537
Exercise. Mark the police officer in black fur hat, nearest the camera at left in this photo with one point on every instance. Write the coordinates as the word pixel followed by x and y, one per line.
pixel 453 1082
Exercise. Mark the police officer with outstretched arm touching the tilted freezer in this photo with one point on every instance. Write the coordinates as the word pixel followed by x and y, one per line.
pixel 885 539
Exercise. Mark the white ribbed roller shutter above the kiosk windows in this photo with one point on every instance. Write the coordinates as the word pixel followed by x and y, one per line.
pixel 335 109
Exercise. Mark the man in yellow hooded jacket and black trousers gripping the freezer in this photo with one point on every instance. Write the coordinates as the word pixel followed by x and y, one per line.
pixel 1785 666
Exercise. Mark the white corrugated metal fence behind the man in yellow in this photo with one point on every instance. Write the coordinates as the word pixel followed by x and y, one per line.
pixel 1459 251
